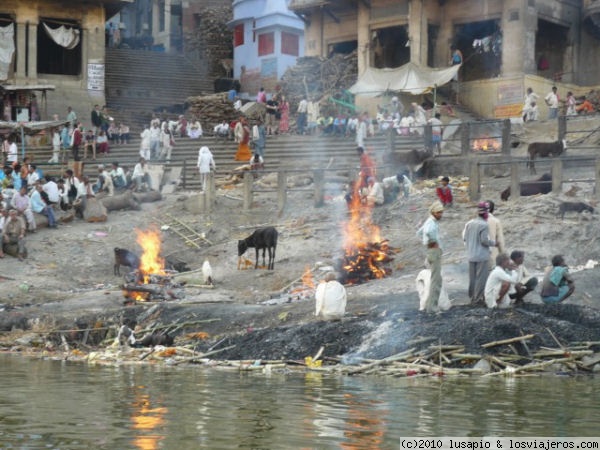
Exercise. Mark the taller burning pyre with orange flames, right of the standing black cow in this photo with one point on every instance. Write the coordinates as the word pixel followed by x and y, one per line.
pixel 365 253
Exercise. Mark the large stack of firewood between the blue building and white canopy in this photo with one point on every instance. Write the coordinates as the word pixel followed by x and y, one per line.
pixel 319 78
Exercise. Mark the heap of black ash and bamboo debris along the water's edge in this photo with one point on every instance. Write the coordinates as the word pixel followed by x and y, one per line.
pixel 560 339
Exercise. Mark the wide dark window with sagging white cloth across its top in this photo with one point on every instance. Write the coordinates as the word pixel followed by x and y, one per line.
pixel 52 58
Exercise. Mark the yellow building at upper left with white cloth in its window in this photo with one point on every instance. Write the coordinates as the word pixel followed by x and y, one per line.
pixel 52 56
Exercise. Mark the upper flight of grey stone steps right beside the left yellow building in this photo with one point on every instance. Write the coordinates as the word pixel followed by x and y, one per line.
pixel 139 82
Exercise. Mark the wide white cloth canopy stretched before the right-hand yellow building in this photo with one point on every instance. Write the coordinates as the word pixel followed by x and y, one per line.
pixel 410 78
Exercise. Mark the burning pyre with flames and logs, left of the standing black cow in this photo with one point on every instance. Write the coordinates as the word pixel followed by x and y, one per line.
pixel 151 281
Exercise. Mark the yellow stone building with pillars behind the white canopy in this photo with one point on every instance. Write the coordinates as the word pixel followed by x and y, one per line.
pixel 507 45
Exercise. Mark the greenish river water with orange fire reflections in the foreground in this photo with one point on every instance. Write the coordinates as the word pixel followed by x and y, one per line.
pixel 62 405
